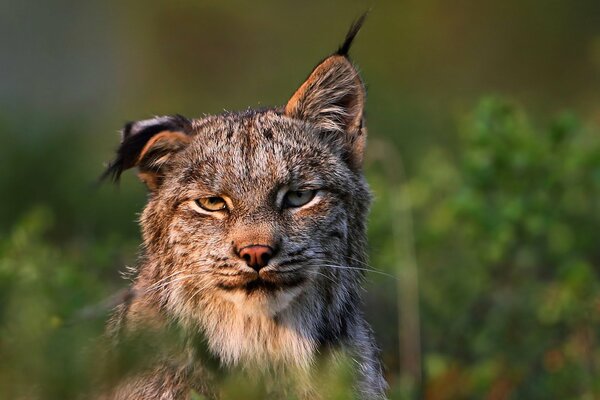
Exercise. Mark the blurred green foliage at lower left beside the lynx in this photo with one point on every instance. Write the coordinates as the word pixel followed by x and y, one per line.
pixel 42 288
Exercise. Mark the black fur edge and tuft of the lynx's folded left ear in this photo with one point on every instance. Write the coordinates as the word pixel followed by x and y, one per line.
pixel 135 136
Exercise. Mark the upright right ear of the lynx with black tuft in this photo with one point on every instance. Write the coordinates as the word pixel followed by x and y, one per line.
pixel 333 98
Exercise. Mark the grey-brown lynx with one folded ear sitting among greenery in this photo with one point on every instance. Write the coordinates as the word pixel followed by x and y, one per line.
pixel 254 238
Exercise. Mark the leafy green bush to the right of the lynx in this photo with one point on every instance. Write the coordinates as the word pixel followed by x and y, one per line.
pixel 506 237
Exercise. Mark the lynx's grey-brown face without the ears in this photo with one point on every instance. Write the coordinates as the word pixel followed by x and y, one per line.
pixel 252 210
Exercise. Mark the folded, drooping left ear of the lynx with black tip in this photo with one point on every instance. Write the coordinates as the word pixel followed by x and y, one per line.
pixel 149 145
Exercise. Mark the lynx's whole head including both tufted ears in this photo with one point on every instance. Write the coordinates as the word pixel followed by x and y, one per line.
pixel 256 209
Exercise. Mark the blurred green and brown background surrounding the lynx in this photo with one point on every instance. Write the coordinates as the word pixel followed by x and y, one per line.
pixel 484 161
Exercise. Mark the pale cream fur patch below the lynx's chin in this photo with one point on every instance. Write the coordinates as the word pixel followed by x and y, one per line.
pixel 259 331
